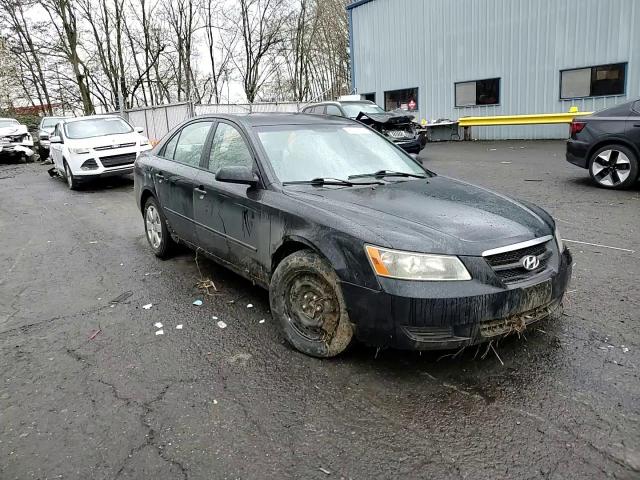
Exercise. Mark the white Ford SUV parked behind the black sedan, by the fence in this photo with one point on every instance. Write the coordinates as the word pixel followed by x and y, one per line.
pixel 95 146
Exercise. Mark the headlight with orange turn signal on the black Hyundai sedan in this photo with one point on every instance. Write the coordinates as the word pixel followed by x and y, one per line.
pixel 416 266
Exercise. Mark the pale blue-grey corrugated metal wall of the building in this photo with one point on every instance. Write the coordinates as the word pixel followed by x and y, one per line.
pixel 431 44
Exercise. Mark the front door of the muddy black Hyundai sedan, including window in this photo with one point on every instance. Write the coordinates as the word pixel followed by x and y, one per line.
pixel 230 219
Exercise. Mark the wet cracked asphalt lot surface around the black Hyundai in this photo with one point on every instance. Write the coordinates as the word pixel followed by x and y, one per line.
pixel 211 403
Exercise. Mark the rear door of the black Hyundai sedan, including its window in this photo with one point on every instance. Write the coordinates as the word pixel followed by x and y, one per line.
pixel 175 176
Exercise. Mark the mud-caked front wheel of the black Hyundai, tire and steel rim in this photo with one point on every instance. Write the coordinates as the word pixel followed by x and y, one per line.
pixel 306 299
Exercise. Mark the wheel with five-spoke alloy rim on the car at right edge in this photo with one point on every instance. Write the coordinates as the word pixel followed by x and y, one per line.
pixel 620 174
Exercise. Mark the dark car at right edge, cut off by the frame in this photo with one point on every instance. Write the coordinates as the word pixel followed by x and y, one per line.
pixel 608 144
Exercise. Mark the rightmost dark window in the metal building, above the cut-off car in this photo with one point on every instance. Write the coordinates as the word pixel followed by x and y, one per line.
pixel 593 81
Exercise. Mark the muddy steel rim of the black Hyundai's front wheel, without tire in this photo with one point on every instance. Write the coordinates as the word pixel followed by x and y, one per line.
pixel 312 307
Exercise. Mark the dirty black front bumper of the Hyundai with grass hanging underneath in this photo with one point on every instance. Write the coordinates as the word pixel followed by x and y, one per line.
pixel 448 316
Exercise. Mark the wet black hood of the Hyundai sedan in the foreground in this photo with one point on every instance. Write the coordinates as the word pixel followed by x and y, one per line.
pixel 437 215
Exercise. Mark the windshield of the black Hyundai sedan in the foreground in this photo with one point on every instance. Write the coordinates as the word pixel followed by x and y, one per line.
pixel 304 152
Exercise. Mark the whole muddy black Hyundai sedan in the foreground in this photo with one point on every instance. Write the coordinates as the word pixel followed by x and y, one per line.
pixel 352 237
